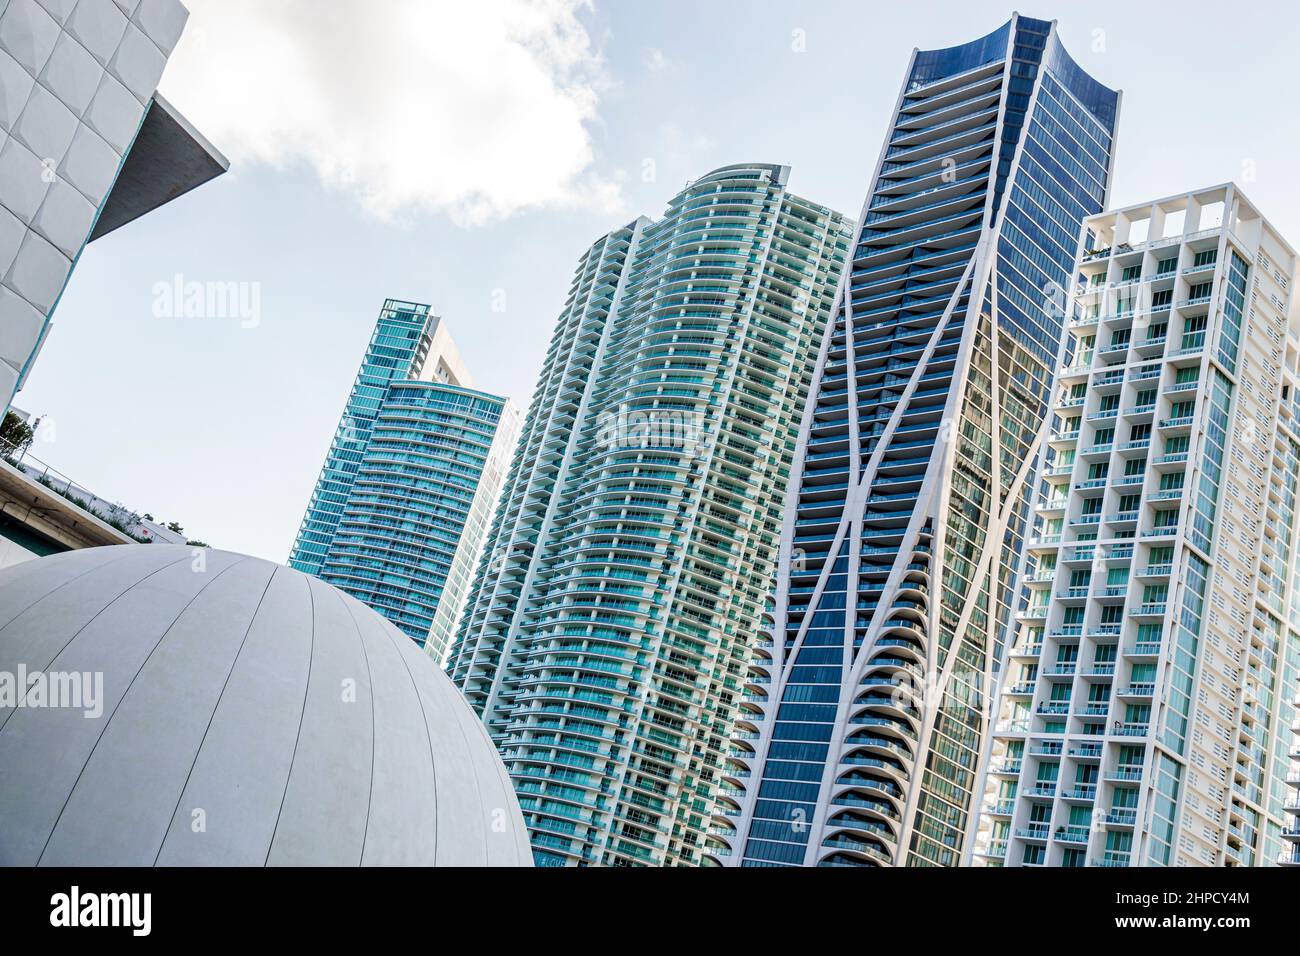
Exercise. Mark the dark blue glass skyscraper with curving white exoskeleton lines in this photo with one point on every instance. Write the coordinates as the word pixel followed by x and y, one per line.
pixel 863 724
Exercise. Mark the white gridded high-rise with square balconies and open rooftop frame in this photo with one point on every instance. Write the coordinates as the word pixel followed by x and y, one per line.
pixel 1146 711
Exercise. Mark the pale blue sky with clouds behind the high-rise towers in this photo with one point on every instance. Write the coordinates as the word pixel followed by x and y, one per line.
pixel 465 155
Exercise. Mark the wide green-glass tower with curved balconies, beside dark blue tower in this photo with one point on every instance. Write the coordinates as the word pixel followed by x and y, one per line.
pixel 627 568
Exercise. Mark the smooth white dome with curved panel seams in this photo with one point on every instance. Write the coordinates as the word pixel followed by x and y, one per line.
pixel 250 716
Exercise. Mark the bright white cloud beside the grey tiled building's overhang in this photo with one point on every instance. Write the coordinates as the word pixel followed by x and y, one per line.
pixel 478 110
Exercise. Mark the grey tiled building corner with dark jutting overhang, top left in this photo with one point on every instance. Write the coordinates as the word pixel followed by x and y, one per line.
pixel 86 146
